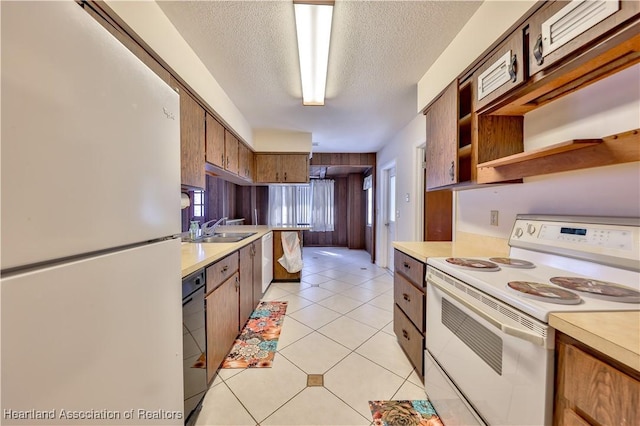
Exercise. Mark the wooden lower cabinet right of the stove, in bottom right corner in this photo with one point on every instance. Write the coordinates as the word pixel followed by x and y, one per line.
pixel 591 390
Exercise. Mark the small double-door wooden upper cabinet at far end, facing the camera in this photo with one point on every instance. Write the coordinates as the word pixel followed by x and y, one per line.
pixel 281 168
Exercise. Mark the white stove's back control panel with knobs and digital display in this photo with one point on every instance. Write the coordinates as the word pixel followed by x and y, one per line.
pixel 608 240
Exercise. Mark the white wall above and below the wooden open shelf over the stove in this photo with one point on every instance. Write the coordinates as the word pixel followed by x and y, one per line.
pixel 605 108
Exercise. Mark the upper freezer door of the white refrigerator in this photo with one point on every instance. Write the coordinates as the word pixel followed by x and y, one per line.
pixel 90 138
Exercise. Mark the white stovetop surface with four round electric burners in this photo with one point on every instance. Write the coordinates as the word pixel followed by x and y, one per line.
pixel 496 283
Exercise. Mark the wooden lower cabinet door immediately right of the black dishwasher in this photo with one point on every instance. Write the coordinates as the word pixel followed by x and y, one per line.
pixel 222 322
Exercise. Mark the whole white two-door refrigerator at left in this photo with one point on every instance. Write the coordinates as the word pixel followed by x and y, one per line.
pixel 90 285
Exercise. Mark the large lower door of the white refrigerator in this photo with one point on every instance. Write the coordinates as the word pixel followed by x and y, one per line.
pixel 102 333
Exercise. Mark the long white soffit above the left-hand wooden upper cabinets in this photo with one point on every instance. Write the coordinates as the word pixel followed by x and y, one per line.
pixel 151 24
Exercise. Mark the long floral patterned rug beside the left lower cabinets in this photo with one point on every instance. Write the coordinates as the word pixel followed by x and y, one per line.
pixel 256 345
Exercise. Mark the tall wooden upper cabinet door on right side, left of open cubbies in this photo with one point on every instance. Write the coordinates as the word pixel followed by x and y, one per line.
pixel 442 139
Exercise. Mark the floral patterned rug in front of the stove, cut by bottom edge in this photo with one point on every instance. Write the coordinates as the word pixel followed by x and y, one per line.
pixel 405 413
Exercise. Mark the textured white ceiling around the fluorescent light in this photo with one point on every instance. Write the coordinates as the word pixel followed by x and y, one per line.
pixel 379 50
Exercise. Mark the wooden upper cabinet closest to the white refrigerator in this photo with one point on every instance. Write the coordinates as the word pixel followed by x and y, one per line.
pixel 192 139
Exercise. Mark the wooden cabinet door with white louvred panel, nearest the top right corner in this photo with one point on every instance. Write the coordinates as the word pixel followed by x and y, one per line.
pixel 563 28
